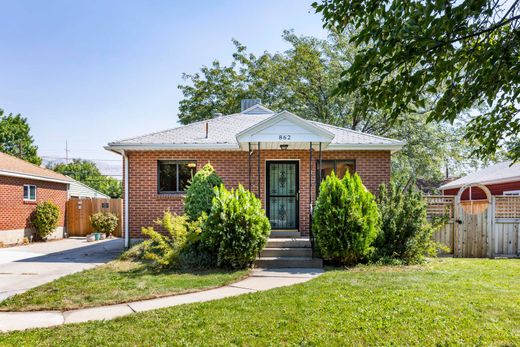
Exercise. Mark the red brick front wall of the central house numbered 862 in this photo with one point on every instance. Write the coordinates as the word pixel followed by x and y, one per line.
pixel 146 205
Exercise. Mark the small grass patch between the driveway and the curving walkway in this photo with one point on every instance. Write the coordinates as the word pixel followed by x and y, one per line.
pixel 116 282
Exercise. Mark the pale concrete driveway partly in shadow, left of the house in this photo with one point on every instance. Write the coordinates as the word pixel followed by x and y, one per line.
pixel 25 267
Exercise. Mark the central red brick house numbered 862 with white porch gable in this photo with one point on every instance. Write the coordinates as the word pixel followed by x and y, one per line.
pixel 277 156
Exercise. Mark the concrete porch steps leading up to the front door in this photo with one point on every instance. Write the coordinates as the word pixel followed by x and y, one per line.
pixel 284 252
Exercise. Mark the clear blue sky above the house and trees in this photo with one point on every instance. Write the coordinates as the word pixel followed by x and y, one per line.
pixel 95 71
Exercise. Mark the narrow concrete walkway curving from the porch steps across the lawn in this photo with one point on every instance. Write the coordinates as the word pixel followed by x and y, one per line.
pixel 260 280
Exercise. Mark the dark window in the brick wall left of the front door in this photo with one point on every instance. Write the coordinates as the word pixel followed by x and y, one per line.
pixel 174 176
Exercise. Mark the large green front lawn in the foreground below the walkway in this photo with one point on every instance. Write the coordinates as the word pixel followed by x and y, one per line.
pixel 448 302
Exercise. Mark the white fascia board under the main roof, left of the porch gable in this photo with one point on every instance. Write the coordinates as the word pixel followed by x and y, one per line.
pixel 172 146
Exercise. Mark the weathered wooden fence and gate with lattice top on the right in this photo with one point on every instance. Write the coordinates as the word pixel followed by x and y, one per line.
pixel 478 228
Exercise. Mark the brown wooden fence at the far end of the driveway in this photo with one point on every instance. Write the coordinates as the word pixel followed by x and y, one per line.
pixel 78 212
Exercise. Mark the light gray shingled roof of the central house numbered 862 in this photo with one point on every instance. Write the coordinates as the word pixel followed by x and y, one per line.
pixel 223 130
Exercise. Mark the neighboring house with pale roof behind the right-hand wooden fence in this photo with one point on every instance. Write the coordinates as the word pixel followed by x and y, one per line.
pixel 501 179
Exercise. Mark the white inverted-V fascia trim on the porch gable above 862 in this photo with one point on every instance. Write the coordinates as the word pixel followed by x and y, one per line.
pixel 245 134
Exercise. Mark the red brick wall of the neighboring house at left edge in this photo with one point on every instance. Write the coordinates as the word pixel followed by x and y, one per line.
pixel 15 212
